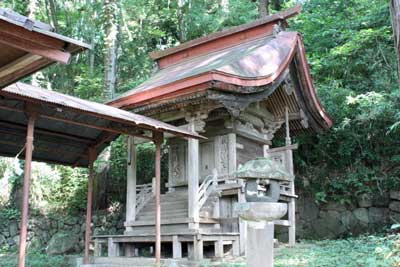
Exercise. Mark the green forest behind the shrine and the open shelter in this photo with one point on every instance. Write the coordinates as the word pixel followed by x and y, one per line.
pixel 350 50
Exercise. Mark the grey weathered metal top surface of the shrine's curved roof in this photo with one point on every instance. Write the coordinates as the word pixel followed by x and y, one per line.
pixel 245 64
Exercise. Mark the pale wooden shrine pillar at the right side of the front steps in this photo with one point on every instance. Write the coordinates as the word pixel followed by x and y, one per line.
pixel 193 178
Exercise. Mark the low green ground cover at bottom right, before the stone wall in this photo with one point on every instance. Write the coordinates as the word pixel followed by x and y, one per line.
pixel 367 251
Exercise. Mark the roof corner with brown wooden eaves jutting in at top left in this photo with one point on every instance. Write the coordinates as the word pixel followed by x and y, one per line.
pixel 27 46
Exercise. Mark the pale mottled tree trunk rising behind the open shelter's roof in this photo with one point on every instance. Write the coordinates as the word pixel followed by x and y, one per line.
pixel 110 11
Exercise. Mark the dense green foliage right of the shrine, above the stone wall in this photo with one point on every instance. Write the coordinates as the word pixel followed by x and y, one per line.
pixel 350 50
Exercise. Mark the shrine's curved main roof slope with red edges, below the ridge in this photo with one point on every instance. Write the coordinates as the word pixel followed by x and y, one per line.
pixel 253 65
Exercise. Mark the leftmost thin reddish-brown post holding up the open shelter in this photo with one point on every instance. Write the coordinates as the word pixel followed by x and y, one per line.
pixel 25 196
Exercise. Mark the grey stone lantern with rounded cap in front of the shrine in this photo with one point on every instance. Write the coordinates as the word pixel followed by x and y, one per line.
pixel 261 209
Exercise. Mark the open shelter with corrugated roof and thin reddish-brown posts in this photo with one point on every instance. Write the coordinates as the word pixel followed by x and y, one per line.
pixel 72 132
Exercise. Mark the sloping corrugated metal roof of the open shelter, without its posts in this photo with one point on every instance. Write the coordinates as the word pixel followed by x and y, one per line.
pixel 67 126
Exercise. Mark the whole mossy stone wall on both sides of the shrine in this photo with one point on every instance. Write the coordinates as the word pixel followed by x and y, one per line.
pixel 65 234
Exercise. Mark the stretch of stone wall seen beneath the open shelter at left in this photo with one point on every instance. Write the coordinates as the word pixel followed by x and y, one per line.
pixel 59 234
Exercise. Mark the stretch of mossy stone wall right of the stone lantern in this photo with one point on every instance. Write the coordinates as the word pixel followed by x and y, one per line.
pixel 368 214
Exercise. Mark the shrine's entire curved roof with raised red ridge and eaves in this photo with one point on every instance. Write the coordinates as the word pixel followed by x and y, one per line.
pixel 245 64
